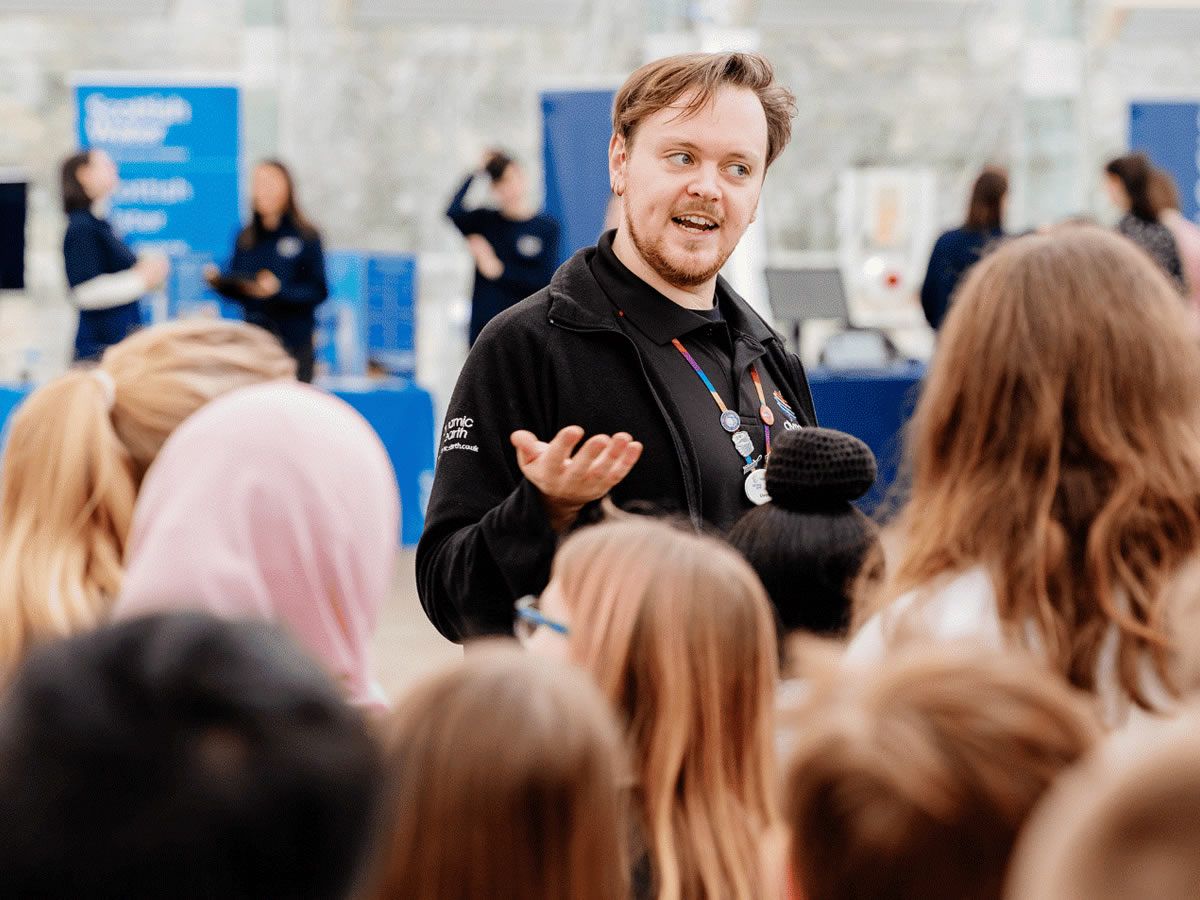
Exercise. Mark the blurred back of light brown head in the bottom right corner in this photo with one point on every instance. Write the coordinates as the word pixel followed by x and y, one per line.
pixel 1118 830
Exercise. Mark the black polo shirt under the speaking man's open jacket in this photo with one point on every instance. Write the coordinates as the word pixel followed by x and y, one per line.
pixel 719 344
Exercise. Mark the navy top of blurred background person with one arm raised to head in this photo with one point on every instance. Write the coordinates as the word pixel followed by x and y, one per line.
pixel 527 249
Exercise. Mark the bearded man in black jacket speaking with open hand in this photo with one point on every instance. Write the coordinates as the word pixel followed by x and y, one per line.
pixel 638 346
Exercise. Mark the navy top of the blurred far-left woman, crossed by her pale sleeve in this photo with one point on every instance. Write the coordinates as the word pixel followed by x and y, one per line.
pixel 92 249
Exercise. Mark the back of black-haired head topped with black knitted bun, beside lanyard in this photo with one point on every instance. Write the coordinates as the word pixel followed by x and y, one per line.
pixel 808 545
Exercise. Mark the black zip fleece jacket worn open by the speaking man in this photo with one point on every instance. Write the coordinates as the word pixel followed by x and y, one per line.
pixel 560 358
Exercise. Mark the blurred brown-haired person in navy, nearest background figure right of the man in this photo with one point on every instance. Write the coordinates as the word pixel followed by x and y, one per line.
pixel 959 249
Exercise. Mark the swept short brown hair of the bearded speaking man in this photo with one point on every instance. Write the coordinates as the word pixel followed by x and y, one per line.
pixel 661 85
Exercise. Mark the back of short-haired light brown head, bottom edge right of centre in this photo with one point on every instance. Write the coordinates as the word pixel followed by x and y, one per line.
pixel 913 781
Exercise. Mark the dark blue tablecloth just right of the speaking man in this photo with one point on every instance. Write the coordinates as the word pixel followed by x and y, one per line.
pixel 874 406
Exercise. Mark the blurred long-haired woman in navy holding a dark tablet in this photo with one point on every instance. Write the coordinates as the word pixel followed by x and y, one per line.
pixel 278 271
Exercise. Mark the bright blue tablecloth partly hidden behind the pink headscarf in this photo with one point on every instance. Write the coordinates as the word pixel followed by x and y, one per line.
pixel 399 411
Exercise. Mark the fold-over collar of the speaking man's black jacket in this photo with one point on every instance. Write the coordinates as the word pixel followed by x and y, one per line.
pixel 577 301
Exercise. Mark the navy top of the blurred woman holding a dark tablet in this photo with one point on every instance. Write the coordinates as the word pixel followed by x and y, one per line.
pixel 297 260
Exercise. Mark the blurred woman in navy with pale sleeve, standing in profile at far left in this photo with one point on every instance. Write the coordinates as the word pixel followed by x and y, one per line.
pixel 105 277
